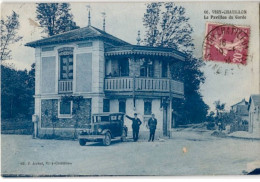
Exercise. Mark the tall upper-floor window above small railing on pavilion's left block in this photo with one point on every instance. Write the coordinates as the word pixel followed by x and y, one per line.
pixel 66 63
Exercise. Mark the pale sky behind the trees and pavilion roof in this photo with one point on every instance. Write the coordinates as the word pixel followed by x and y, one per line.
pixel 229 83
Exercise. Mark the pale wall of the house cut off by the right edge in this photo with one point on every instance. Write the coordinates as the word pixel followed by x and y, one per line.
pixel 254 114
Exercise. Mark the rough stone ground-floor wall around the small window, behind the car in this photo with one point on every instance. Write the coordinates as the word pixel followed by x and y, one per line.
pixel 49 110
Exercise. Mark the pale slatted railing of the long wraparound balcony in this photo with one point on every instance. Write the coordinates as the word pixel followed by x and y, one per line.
pixel 143 84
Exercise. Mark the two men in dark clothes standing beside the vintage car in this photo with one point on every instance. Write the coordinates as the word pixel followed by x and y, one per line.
pixel 136 122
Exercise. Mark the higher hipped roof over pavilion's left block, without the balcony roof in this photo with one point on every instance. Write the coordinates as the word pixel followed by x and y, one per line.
pixel 84 33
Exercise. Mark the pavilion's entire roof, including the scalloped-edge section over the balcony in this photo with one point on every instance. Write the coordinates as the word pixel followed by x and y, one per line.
pixel 115 46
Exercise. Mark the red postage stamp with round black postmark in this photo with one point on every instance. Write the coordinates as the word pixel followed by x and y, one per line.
pixel 226 43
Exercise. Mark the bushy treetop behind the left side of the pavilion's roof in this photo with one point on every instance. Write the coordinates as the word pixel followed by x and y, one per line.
pixel 55 18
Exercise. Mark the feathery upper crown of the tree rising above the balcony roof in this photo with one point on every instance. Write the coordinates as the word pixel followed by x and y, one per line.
pixel 168 27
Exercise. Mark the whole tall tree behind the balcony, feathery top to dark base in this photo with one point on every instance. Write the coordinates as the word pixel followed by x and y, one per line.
pixel 167 26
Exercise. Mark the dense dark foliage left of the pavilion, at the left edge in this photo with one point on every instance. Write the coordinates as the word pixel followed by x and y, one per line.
pixel 17 90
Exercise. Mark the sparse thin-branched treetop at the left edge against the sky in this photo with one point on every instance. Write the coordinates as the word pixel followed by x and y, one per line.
pixel 9 35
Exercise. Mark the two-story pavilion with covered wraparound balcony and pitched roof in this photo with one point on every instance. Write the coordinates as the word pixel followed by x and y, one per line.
pixel 109 73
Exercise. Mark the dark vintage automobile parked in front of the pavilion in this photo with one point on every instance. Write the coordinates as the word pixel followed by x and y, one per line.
pixel 103 128
